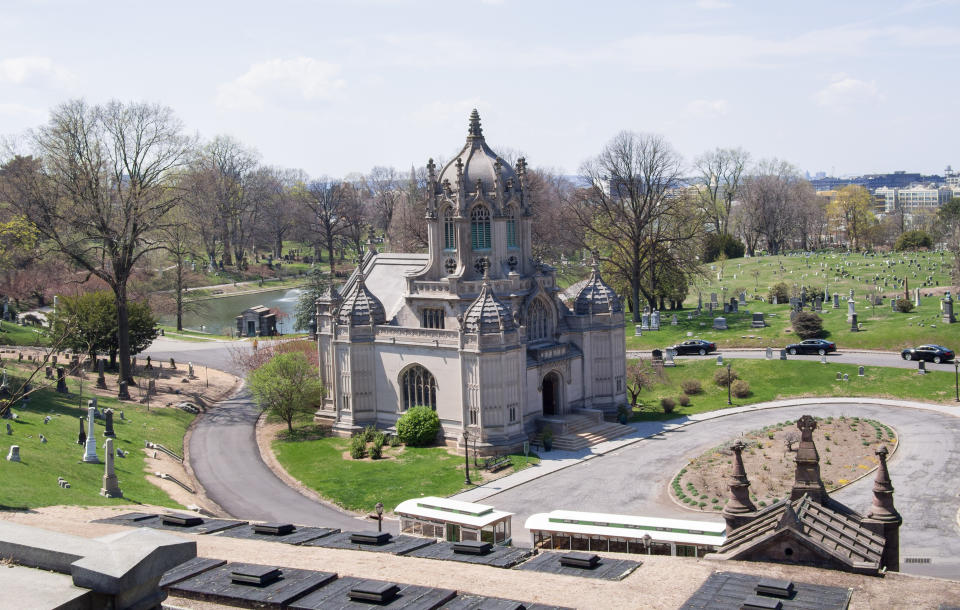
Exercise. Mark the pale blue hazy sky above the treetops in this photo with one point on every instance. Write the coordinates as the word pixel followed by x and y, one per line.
pixel 337 87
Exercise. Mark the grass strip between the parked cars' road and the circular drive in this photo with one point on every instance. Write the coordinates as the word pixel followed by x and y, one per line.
pixel 777 379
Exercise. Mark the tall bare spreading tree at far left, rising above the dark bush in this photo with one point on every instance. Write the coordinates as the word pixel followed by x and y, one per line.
pixel 101 186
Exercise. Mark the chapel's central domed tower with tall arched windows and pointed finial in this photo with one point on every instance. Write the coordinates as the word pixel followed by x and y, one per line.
pixel 478 214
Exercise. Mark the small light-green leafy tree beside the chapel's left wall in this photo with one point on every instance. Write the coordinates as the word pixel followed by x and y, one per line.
pixel 286 386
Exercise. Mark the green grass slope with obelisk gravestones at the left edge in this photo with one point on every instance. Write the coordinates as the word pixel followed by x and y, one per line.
pixel 33 482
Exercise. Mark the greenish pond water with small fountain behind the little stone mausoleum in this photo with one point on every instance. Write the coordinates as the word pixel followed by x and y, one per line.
pixel 217 316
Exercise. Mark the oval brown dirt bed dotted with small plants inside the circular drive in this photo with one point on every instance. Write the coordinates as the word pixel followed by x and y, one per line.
pixel 846 446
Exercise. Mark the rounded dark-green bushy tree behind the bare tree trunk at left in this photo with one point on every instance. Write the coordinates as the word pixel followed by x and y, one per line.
pixel 91 320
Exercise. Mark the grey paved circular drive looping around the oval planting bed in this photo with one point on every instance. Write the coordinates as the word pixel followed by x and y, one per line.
pixel 634 479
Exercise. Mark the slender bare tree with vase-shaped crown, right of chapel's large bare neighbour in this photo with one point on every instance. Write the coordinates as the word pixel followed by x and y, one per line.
pixel 720 182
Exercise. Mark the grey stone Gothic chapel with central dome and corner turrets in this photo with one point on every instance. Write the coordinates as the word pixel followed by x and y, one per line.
pixel 475 328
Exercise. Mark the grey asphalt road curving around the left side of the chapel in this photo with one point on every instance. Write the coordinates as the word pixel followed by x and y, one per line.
pixel 226 461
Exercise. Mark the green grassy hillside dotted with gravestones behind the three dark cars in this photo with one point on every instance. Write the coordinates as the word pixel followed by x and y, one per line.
pixel 882 328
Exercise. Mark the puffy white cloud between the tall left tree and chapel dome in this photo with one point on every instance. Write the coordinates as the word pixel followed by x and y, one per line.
pixel 300 78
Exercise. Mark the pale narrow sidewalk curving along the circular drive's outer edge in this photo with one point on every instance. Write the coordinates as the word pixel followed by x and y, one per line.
pixel 554 461
